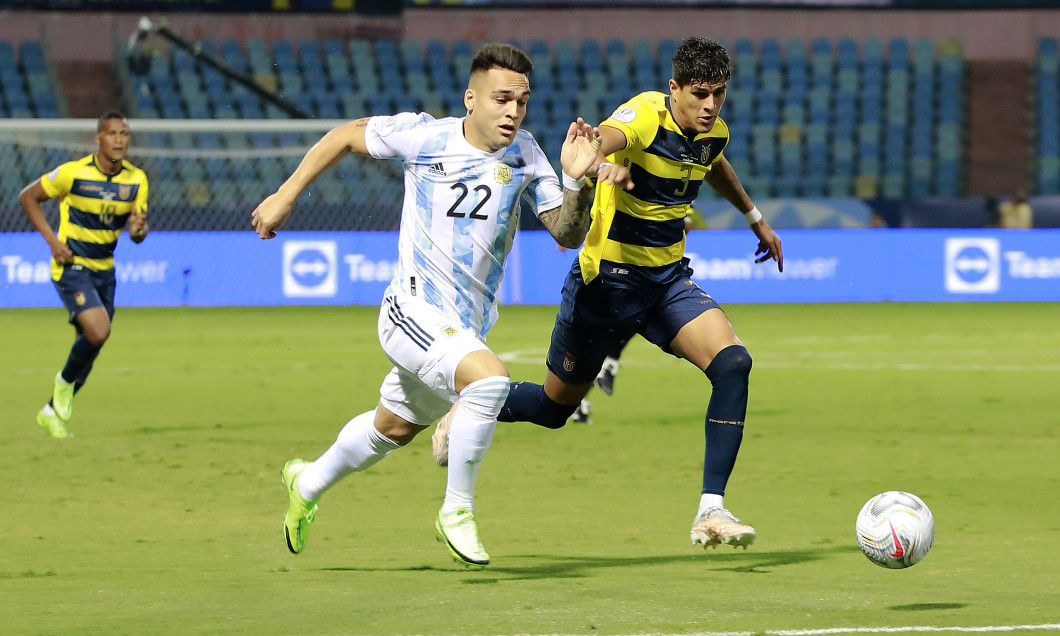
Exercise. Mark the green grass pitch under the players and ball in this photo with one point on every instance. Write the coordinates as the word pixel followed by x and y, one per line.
pixel 164 515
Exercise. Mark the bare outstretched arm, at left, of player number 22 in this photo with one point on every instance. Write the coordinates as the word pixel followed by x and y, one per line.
pixel 273 214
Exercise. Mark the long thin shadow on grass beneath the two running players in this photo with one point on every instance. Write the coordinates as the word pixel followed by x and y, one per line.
pixel 549 567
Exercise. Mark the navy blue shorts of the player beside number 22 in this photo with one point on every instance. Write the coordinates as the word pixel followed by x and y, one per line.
pixel 615 306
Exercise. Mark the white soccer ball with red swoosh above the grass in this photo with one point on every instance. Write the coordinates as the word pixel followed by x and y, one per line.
pixel 895 529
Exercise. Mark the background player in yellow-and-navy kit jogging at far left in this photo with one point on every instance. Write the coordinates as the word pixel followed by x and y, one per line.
pixel 99 196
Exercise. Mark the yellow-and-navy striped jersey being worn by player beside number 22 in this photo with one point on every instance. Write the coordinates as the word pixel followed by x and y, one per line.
pixel 645 227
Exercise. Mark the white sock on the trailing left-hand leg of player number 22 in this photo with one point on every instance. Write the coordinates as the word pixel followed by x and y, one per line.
pixel 359 447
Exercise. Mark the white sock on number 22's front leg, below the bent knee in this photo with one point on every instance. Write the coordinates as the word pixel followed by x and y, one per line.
pixel 473 426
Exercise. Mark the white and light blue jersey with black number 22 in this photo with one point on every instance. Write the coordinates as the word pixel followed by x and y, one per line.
pixel 462 210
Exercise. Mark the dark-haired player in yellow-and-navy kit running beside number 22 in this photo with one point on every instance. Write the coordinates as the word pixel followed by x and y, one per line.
pixel 632 276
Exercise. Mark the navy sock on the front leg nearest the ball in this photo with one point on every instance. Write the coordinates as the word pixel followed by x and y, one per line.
pixel 729 374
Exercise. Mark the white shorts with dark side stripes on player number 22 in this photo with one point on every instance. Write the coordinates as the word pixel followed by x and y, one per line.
pixel 427 347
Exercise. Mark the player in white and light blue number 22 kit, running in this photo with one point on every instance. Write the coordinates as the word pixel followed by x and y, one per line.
pixel 464 182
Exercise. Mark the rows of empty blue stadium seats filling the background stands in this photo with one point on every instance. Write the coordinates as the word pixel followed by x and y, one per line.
pixel 874 118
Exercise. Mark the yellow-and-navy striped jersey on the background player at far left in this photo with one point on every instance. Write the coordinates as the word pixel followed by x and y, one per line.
pixel 94 208
